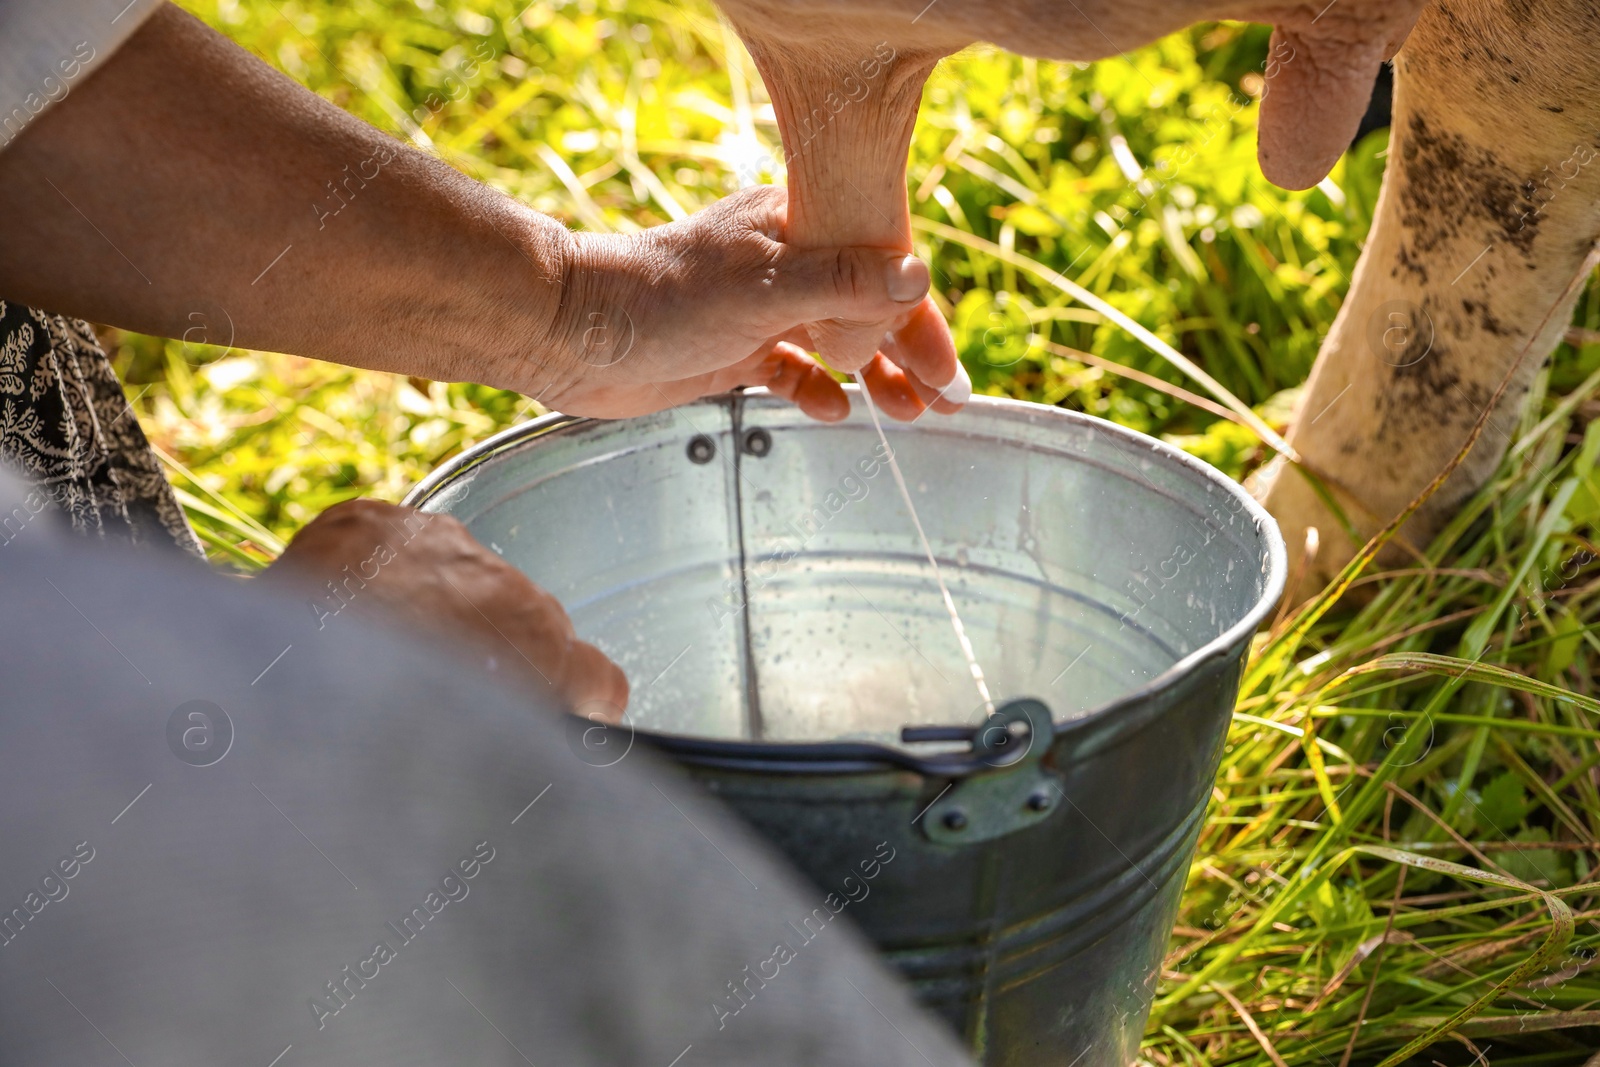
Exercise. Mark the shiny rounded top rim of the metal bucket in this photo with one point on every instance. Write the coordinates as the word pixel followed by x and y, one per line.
pixel 858 757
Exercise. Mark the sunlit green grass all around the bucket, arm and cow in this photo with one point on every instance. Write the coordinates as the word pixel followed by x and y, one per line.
pixel 1450 721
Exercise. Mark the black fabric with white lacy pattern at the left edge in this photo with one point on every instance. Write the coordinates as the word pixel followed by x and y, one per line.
pixel 68 430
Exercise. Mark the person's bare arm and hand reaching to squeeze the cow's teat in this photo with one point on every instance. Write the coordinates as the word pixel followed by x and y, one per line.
pixel 188 183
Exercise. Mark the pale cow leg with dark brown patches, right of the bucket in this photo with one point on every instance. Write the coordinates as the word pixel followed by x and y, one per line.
pixel 1487 212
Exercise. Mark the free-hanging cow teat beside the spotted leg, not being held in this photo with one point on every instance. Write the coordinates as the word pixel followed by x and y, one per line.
pixel 1319 84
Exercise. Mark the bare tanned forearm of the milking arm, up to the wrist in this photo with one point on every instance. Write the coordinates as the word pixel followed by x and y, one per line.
pixel 188 183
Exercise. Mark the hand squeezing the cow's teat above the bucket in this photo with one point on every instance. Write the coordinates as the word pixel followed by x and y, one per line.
pixel 719 300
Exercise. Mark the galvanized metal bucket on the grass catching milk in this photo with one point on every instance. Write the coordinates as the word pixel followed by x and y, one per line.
pixel 759 578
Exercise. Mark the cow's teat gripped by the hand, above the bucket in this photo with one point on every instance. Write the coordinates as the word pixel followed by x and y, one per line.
pixel 846 111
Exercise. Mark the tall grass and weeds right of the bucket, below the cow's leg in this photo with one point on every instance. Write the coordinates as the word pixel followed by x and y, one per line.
pixel 1402 845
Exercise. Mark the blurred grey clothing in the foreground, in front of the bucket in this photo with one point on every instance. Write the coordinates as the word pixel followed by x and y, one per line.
pixel 231 837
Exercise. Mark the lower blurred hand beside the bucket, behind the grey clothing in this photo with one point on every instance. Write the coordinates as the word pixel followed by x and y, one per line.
pixel 428 573
